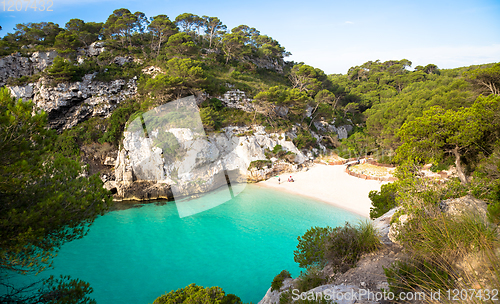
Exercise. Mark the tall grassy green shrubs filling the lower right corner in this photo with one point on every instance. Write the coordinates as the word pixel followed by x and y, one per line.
pixel 445 252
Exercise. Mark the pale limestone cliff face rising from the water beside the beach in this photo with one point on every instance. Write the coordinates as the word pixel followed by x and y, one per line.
pixel 205 164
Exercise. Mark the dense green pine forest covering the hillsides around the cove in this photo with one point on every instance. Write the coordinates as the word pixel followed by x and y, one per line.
pixel 400 115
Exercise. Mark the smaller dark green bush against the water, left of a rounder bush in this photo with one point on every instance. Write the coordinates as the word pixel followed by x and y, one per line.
pixel 311 247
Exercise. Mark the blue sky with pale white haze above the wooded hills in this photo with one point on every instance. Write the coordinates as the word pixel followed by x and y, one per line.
pixel 331 35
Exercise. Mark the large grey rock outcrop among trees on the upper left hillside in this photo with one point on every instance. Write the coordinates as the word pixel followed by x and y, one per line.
pixel 68 104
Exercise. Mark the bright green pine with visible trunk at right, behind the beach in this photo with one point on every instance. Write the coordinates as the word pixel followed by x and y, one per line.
pixel 463 133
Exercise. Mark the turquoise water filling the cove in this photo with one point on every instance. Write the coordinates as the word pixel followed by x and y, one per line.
pixel 135 255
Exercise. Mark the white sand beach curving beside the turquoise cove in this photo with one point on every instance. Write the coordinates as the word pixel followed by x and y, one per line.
pixel 329 184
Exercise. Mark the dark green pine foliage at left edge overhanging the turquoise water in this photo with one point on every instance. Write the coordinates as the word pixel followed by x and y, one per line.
pixel 45 199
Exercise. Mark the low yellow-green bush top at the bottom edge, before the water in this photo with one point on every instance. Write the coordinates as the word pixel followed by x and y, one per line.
pixel 198 295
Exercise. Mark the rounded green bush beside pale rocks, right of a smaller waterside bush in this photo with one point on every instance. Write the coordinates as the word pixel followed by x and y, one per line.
pixel 346 244
